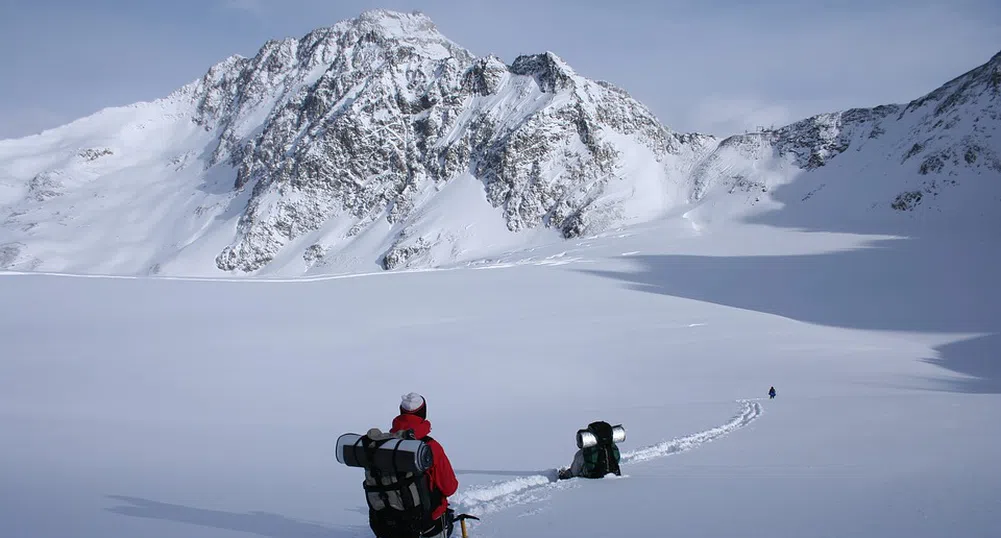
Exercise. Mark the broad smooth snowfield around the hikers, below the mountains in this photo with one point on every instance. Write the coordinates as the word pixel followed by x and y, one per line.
pixel 163 407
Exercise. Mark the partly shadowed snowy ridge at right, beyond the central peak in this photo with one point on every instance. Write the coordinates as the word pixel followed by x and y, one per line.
pixel 937 158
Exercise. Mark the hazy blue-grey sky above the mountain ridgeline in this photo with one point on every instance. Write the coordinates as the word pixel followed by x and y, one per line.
pixel 705 66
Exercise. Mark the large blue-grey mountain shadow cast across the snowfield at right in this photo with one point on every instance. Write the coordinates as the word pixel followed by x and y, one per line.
pixel 924 283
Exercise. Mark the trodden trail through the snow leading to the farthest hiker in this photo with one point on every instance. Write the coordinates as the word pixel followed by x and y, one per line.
pixel 482 500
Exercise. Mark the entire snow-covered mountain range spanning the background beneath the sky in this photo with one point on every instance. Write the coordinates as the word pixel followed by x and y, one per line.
pixel 380 143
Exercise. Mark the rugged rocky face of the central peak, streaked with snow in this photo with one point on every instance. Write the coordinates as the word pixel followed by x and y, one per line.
pixel 365 119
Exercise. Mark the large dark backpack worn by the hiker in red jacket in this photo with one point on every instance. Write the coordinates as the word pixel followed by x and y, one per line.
pixel 397 485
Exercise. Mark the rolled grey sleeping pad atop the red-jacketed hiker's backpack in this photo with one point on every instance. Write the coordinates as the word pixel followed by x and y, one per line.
pixel 395 455
